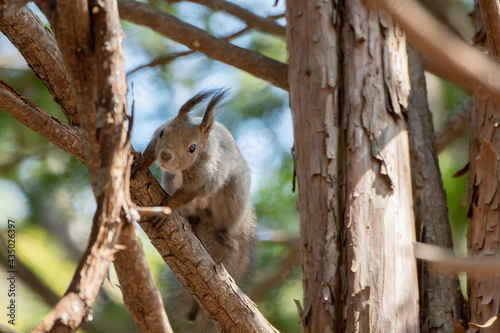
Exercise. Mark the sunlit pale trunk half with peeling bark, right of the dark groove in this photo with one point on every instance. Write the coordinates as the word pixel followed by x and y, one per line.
pixel 382 287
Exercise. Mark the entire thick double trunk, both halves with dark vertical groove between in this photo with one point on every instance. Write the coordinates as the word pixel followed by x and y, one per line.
pixel 353 169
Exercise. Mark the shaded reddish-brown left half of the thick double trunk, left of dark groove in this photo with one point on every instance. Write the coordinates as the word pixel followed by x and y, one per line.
pixel 314 99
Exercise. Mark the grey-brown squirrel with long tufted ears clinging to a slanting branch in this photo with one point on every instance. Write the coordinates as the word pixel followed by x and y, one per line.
pixel 207 181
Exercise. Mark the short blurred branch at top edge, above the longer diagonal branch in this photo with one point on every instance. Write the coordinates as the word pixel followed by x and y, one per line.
pixel 252 20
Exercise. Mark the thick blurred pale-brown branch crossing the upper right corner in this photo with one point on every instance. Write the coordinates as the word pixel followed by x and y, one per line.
pixel 460 62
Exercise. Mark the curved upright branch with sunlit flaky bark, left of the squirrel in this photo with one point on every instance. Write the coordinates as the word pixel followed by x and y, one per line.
pixel 96 73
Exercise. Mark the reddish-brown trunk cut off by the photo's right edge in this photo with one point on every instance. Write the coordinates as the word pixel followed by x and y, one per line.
pixel 484 189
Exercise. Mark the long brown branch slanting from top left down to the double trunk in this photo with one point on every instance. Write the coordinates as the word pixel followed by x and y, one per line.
pixel 171 27
